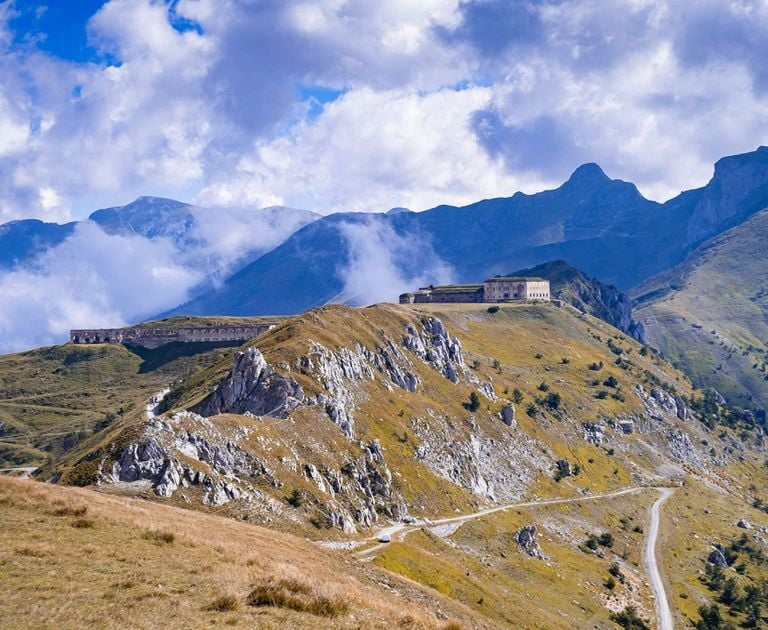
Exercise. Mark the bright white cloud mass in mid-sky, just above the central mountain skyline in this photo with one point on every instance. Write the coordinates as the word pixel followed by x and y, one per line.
pixel 374 150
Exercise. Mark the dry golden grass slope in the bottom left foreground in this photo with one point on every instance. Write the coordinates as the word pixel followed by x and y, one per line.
pixel 126 570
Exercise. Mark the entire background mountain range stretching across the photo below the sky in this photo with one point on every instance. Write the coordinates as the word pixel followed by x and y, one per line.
pixel 610 239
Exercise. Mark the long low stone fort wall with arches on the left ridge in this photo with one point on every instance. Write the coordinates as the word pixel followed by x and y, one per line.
pixel 156 336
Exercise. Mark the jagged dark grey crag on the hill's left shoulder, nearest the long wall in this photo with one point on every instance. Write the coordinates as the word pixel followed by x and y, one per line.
pixel 253 387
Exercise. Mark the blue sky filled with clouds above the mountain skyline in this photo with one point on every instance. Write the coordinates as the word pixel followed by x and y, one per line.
pixel 363 105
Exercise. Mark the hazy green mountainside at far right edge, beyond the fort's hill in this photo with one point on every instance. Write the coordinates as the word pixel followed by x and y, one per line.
pixel 708 315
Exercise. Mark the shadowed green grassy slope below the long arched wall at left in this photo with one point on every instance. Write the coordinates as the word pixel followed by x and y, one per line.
pixel 52 398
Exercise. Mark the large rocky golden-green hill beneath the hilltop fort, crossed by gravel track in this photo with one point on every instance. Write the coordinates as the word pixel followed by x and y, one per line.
pixel 343 424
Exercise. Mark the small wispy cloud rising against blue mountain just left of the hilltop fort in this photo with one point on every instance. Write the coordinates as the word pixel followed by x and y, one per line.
pixel 383 263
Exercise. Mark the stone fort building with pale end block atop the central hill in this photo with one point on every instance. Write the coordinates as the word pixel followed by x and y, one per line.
pixel 499 289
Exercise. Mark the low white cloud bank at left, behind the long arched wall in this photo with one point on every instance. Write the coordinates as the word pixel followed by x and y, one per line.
pixel 92 279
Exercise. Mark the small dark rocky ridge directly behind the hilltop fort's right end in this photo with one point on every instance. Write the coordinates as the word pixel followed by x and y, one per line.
pixel 587 294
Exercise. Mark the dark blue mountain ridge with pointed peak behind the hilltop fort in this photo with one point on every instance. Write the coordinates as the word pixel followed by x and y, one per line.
pixel 602 226
